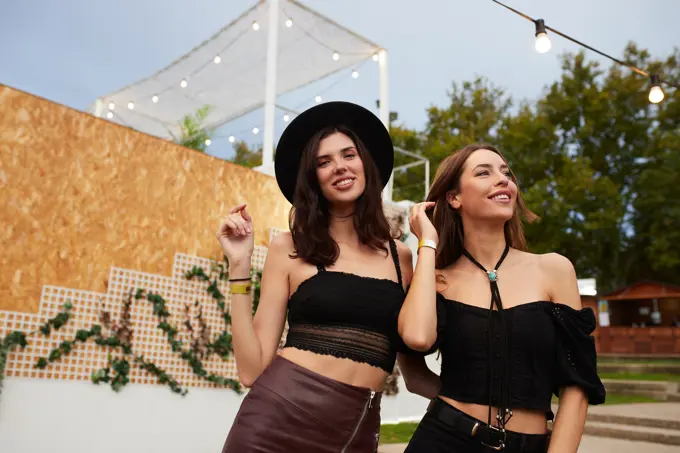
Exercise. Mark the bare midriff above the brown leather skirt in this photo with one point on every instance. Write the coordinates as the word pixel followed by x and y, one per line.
pixel 338 369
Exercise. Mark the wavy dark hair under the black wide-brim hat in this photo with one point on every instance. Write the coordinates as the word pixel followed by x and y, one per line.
pixel 309 216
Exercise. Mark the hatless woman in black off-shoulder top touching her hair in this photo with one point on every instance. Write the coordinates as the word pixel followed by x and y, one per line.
pixel 508 323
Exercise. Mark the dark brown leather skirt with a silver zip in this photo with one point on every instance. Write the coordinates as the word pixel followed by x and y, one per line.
pixel 292 409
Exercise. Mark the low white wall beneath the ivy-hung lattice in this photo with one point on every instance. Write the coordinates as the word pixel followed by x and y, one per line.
pixel 54 416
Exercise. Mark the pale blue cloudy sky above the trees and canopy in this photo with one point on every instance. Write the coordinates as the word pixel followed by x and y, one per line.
pixel 72 51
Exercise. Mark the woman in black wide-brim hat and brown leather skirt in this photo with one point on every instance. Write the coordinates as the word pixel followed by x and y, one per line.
pixel 340 278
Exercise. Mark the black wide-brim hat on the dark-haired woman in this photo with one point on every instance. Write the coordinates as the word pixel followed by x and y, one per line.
pixel 359 120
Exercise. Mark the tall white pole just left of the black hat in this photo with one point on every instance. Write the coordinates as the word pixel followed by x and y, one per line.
pixel 270 87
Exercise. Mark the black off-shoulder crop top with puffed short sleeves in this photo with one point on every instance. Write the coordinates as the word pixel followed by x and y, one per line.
pixel 548 347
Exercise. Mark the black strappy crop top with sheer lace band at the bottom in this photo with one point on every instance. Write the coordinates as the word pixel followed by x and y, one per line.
pixel 348 316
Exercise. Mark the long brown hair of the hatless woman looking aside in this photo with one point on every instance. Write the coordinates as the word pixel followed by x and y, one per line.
pixel 447 220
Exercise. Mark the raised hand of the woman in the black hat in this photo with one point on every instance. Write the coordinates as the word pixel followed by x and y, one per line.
pixel 235 235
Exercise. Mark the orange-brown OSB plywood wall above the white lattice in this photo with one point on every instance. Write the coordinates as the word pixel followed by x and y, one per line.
pixel 80 196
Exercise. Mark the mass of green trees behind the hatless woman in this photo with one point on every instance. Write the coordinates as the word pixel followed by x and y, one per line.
pixel 595 160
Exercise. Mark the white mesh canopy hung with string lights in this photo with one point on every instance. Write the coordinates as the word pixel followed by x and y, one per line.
pixel 229 70
